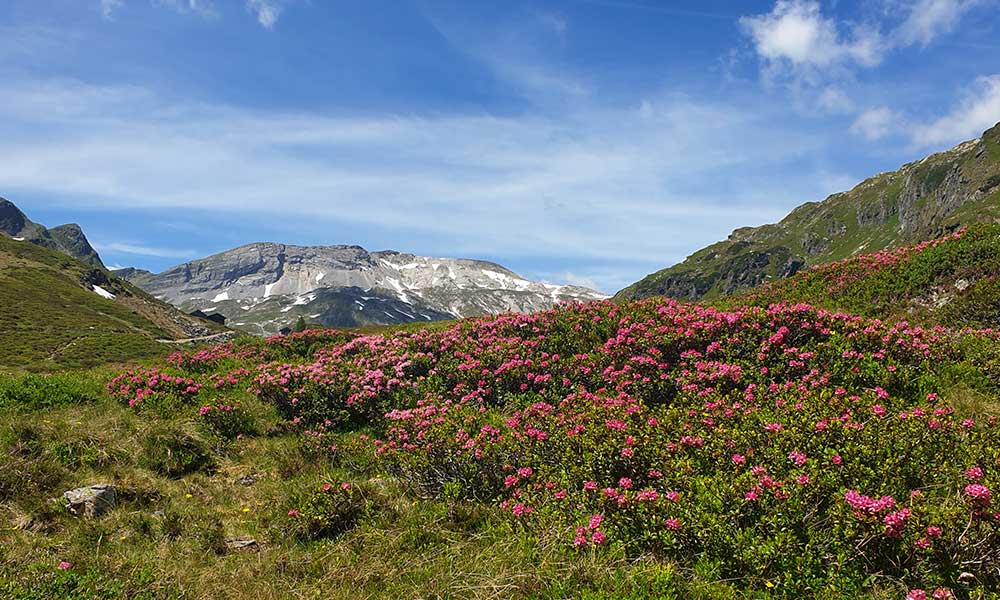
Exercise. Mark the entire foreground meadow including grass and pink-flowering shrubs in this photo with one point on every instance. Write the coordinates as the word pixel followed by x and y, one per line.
pixel 648 450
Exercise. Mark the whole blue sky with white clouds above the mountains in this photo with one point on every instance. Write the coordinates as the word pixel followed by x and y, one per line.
pixel 574 141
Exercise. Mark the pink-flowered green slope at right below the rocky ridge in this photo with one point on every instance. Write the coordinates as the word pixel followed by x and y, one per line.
pixel 953 280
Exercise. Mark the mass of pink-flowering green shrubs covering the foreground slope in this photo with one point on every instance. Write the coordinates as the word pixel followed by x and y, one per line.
pixel 785 444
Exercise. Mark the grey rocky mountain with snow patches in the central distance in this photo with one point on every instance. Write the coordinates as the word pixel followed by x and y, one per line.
pixel 264 287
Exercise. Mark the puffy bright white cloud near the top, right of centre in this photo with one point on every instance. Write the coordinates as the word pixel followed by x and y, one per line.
pixel 796 34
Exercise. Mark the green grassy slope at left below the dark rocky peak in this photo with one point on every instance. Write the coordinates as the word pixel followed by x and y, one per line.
pixel 52 319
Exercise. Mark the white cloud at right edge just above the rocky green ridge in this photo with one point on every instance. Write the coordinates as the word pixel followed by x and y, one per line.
pixel 978 111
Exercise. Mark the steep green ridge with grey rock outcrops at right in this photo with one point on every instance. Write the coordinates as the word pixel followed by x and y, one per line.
pixel 920 201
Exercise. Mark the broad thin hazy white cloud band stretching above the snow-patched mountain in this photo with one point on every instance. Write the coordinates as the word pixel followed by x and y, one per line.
pixel 588 183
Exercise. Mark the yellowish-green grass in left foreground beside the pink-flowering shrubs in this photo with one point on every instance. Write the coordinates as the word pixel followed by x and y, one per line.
pixel 166 539
